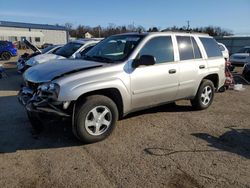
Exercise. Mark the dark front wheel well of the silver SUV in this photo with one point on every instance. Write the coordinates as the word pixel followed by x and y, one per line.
pixel 112 93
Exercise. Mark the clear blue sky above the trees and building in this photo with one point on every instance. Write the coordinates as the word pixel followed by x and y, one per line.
pixel 228 14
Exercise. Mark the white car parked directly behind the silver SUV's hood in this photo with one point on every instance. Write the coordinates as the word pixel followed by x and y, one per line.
pixel 70 50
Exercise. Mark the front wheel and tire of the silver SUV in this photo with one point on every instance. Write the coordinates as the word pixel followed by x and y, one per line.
pixel 95 119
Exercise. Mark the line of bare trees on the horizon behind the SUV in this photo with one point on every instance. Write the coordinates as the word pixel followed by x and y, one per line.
pixel 111 29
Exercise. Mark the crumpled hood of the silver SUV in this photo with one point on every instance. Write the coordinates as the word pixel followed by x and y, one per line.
pixel 55 69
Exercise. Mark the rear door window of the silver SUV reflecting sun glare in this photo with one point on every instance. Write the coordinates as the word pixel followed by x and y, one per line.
pixel 188 48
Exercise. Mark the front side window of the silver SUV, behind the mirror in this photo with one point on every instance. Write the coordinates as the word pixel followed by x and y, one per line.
pixel 159 47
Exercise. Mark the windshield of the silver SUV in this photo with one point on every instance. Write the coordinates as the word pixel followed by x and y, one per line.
pixel 114 49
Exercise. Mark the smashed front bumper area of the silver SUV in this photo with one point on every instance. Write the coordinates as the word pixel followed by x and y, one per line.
pixel 35 102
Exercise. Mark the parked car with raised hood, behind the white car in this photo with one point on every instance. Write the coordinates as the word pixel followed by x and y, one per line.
pixel 26 56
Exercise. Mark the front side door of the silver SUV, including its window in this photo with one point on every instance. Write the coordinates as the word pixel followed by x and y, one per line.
pixel 158 83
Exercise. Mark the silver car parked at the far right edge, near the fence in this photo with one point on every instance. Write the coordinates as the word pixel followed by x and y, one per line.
pixel 240 58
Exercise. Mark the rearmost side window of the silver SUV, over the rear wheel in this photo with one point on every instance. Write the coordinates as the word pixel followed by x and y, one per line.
pixel 211 47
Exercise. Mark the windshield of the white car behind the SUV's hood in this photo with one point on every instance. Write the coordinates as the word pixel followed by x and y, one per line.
pixel 68 49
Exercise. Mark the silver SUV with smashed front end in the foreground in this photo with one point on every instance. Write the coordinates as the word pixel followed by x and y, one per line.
pixel 122 74
